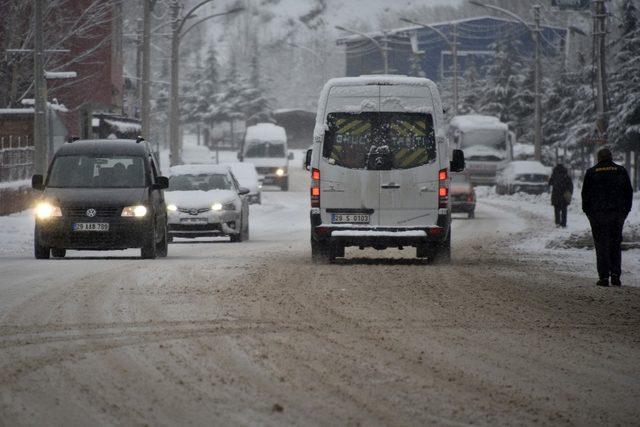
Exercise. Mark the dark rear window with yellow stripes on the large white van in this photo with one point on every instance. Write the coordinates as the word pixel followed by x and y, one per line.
pixel 407 140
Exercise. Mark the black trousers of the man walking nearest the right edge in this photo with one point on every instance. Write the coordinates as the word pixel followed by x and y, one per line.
pixel 607 238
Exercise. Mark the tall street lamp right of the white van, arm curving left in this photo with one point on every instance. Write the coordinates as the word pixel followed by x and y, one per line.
pixel 535 33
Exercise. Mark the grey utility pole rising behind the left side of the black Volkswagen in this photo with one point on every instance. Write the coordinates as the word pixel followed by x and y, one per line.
pixel 41 156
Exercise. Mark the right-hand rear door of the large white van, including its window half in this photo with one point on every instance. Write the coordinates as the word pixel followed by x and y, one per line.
pixel 409 186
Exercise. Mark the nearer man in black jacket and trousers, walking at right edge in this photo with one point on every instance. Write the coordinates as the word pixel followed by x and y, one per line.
pixel 607 196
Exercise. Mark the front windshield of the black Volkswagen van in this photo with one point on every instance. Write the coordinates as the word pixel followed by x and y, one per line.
pixel 82 171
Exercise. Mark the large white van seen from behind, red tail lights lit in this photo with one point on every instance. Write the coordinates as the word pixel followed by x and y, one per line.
pixel 380 168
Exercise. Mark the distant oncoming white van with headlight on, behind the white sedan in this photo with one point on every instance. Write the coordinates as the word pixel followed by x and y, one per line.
pixel 265 145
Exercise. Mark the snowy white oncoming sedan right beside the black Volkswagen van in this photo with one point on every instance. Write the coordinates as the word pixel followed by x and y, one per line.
pixel 206 201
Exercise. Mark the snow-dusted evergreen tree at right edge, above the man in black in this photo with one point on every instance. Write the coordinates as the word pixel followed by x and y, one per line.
pixel 624 129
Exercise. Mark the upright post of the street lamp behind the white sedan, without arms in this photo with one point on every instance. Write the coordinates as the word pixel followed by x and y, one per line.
pixel 174 113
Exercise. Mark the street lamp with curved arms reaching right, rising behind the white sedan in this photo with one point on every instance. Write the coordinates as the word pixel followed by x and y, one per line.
pixel 177 25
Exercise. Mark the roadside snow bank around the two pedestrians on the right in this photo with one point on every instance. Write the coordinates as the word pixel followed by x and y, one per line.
pixel 550 242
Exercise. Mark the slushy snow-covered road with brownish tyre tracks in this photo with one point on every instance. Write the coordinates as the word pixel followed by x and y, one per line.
pixel 254 333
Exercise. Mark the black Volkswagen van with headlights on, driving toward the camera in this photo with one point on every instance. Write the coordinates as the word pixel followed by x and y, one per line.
pixel 99 195
